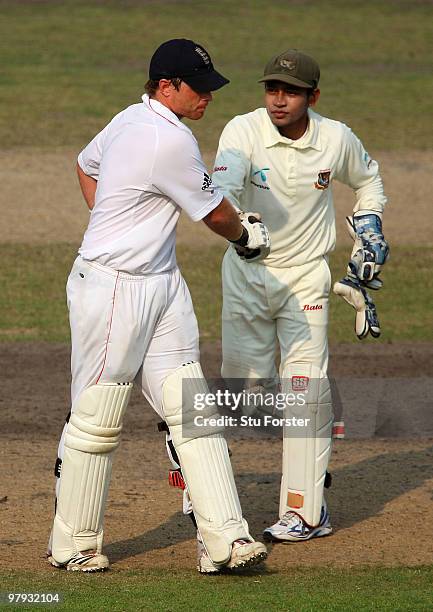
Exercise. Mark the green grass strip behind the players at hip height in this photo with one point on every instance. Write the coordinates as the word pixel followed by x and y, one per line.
pixel 33 305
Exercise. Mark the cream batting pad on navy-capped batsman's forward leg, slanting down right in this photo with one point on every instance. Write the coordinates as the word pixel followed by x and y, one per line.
pixel 205 463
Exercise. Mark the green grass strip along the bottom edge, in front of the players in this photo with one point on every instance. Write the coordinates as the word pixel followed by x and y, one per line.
pixel 330 589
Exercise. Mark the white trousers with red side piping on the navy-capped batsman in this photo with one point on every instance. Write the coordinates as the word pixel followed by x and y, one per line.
pixel 126 327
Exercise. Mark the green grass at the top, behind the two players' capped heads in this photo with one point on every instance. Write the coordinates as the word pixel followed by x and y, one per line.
pixel 69 66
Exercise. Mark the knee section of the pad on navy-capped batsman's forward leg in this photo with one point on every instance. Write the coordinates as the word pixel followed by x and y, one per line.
pixel 185 395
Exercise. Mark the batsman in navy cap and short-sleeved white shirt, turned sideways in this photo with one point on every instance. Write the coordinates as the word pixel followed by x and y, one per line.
pixel 132 318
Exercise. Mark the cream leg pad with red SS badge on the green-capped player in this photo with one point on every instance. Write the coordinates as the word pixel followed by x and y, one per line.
pixel 306 448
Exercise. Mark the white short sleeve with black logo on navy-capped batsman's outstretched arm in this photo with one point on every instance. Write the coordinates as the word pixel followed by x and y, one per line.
pixel 179 173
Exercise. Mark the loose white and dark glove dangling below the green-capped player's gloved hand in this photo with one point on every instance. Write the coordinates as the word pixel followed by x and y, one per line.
pixel 366 321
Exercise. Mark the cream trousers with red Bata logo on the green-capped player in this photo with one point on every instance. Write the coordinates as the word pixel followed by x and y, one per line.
pixel 264 307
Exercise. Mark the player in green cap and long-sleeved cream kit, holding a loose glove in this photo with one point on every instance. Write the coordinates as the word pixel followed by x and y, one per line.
pixel 279 163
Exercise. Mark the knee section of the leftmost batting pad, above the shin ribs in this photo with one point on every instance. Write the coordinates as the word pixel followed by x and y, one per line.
pixel 96 423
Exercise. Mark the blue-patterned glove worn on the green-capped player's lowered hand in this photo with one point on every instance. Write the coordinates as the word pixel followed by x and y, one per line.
pixel 370 250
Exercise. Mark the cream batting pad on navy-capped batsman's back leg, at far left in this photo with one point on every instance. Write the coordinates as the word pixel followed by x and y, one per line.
pixel 92 435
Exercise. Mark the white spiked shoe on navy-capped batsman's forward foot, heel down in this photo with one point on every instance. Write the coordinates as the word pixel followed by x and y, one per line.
pixel 245 554
